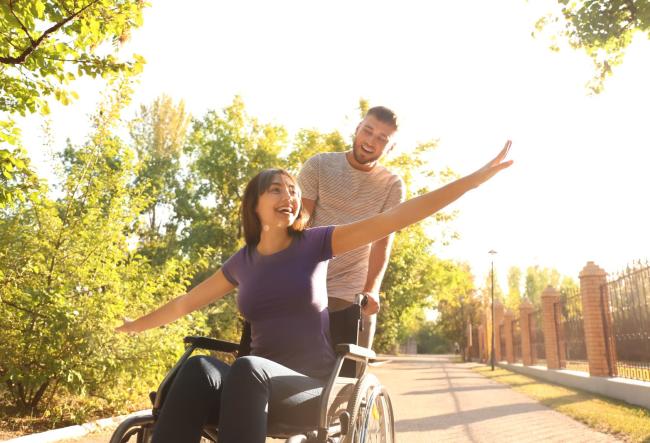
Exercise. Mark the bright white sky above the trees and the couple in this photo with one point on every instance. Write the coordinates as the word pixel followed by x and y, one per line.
pixel 468 74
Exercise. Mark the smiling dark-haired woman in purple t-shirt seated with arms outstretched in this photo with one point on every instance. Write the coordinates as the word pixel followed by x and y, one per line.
pixel 281 279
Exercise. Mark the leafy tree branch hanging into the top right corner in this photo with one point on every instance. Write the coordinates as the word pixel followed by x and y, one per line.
pixel 602 28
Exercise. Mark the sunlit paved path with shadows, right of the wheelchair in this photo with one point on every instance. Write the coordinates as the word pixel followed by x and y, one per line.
pixel 438 401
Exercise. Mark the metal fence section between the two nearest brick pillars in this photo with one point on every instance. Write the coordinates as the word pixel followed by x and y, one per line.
pixel 573 349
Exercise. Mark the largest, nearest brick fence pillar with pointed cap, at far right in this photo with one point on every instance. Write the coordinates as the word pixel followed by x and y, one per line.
pixel 597 324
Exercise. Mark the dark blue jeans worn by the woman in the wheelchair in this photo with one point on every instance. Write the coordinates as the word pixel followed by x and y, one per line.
pixel 240 398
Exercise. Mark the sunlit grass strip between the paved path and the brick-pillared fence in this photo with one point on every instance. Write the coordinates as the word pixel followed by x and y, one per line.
pixel 631 423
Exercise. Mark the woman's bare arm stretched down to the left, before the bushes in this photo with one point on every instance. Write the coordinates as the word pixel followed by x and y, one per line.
pixel 209 290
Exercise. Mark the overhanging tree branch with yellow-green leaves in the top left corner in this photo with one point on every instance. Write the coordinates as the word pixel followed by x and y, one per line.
pixel 45 45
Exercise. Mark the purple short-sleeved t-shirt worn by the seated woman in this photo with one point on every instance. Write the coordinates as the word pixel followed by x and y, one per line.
pixel 284 298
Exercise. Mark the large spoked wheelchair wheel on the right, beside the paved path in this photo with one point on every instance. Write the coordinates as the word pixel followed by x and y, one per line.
pixel 371 413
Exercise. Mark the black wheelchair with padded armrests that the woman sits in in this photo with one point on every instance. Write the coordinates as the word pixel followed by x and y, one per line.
pixel 355 407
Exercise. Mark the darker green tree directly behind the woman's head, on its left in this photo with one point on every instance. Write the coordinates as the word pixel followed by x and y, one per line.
pixel 225 150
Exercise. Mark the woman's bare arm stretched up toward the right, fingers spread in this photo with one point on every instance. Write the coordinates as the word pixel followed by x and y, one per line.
pixel 348 237
